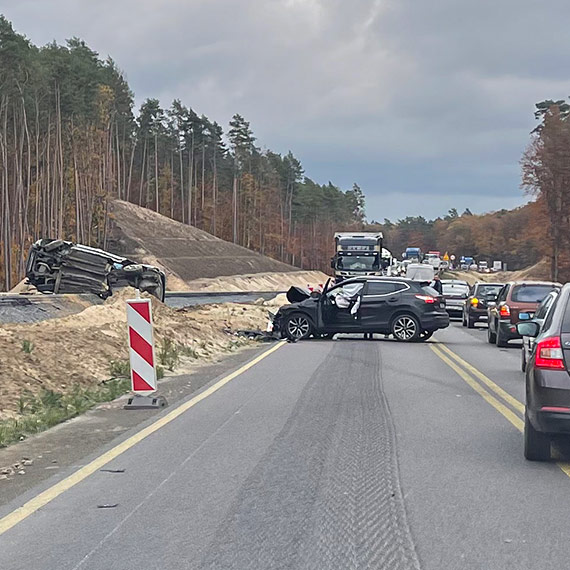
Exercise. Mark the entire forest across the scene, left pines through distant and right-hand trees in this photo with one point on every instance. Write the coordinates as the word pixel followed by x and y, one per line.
pixel 70 141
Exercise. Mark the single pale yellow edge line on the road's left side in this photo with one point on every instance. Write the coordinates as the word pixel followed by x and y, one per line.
pixel 50 494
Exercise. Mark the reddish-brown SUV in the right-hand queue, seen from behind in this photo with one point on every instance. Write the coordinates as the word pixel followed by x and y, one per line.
pixel 514 298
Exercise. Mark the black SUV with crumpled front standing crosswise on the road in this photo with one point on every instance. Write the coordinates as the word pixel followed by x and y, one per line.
pixel 409 310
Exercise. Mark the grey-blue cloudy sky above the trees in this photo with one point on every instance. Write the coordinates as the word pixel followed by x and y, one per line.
pixel 427 104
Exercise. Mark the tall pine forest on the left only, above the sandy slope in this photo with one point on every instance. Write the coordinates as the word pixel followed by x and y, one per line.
pixel 70 141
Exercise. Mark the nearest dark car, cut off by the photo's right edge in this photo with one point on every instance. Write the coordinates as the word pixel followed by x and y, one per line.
pixel 547 410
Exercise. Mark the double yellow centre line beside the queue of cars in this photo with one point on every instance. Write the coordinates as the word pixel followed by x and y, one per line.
pixel 502 409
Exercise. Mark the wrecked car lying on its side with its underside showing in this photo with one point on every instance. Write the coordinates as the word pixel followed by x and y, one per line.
pixel 58 266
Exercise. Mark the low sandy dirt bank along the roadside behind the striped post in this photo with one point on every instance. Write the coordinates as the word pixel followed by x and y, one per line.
pixel 78 349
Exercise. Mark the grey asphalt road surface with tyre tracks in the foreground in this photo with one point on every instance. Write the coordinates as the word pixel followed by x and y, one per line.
pixel 323 455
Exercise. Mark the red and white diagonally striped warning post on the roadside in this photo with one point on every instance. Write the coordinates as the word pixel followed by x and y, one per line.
pixel 141 345
